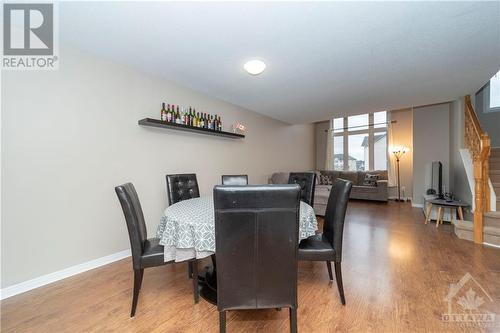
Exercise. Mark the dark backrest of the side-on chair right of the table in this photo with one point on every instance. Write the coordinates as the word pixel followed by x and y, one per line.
pixel 335 214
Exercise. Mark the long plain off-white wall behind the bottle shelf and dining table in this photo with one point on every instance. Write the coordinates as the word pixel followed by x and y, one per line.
pixel 70 136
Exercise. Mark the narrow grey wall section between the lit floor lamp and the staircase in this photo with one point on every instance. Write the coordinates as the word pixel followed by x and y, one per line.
pixel 431 142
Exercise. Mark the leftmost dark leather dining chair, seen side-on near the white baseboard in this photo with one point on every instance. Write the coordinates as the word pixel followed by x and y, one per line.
pixel 145 252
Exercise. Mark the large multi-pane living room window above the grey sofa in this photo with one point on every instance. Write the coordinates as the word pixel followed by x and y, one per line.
pixel 360 142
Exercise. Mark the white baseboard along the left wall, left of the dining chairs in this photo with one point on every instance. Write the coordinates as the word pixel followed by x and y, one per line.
pixel 62 274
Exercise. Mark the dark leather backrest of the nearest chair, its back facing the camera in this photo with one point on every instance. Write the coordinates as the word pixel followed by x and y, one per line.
pixel 256 235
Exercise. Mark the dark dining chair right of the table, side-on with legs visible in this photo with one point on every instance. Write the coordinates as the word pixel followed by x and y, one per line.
pixel 327 246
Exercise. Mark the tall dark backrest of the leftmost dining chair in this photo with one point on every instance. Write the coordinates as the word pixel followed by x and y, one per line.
pixel 134 217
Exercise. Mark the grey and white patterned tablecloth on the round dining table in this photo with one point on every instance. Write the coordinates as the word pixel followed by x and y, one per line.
pixel 187 228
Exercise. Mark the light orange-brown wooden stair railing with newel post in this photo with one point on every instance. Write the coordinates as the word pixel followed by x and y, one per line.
pixel 478 142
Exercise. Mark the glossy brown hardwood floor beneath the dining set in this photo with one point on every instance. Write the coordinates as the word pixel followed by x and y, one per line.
pixel 396 269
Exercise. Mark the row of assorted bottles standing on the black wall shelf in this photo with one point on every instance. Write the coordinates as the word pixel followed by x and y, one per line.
pixel 189 117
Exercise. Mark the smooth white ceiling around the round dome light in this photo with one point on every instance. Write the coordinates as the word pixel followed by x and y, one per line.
pixel 323 58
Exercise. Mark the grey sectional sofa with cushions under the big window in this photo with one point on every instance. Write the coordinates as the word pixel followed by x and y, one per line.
pixel 324 179
